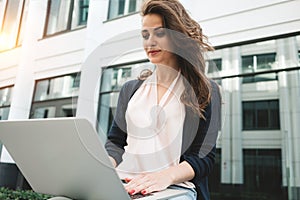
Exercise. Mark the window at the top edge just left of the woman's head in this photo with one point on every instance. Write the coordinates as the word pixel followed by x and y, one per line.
pixel 119 8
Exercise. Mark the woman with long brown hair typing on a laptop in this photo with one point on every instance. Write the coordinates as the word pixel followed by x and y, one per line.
pixel 163 118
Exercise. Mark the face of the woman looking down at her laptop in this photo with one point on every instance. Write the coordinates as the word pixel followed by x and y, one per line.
pixel 157 44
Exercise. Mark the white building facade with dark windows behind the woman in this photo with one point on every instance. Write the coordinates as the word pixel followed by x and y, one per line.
pixel 70 58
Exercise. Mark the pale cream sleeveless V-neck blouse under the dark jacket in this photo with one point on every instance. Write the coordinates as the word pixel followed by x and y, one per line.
pixel 154 130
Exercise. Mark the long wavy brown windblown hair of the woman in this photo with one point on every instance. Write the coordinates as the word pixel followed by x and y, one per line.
pixel 190 46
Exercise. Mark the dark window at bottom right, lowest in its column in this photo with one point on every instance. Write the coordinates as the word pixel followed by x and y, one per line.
pixel 259 166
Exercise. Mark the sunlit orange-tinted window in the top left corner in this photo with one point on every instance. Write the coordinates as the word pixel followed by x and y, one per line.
pixel 13 25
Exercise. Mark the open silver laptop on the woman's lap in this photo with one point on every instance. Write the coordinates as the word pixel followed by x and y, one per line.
pixel 65 157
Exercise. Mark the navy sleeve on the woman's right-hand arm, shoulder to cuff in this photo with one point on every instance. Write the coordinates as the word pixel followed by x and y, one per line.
pixel 201 153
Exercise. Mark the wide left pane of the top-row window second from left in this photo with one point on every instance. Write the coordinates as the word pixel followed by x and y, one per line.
pixel 58 16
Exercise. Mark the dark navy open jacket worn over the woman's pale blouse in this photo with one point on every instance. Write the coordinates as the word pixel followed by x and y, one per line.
pixel 198 142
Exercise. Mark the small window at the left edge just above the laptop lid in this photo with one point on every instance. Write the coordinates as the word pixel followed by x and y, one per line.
pixel 5 101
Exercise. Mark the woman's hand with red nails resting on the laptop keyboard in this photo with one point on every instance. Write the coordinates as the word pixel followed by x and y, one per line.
pixel 147 183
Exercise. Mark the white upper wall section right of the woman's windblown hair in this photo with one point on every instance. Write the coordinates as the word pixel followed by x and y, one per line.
pixel 249 20
